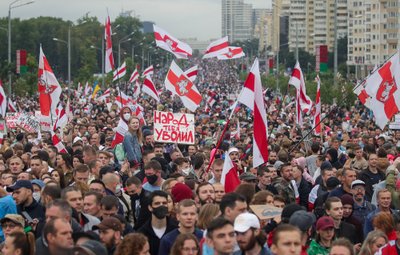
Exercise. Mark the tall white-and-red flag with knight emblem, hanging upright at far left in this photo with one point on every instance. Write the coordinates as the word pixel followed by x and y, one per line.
pixel 49 91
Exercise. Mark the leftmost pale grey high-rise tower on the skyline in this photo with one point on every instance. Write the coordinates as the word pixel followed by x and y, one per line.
pixel 237 20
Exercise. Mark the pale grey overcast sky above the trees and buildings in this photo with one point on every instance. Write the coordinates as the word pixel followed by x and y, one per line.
pixel 182 18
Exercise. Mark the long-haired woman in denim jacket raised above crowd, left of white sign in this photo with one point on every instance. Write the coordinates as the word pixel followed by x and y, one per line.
pixel 133 141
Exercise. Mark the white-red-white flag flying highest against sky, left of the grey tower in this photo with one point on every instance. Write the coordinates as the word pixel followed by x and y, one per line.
pixel 166 41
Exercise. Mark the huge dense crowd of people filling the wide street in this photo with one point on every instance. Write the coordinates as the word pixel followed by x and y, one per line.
pixel 335 193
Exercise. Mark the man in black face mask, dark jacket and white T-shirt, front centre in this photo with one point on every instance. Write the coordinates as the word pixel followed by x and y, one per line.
pixel 159 224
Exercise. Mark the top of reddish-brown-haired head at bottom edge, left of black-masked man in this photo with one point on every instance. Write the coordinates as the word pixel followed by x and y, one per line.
pixel 133 244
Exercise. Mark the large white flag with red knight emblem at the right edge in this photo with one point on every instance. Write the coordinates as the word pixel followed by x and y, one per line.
pixel 383 90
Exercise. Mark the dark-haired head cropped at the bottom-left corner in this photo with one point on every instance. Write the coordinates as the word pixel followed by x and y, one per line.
pixel 19 243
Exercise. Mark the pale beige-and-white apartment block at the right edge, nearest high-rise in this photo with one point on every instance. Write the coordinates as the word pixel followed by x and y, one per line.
pixel 374 33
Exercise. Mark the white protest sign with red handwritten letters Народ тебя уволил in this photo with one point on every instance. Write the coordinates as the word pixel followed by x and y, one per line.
pixel 174 127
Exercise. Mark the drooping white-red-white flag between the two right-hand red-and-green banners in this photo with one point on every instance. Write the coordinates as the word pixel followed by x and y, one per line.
pixel 297 80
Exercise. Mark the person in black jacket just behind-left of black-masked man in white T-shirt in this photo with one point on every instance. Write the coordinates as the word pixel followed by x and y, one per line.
pixel 139 201
